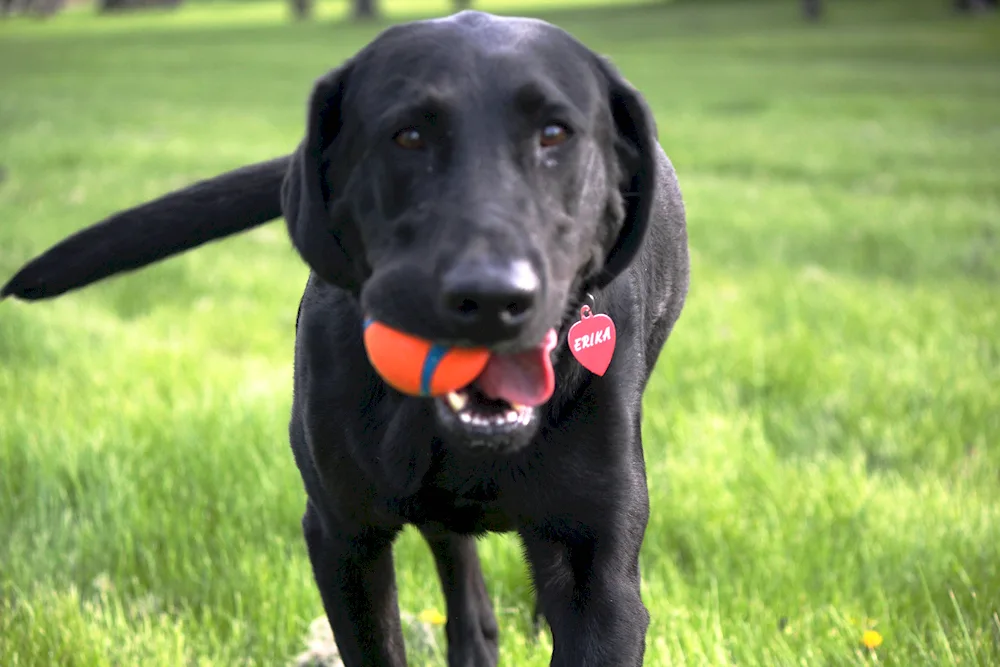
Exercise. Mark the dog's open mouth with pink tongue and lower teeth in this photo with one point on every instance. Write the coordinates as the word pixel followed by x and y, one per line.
pixel 505 396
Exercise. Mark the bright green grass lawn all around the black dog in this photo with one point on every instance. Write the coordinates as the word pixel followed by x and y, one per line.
pixel 822 431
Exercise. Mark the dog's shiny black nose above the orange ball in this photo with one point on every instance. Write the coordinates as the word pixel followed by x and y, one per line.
pixel 489 301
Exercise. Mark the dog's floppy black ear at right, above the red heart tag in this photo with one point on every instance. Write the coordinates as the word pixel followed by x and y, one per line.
pixel 635 144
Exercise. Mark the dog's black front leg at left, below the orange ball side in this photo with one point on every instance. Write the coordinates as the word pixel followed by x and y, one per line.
pixel 355 575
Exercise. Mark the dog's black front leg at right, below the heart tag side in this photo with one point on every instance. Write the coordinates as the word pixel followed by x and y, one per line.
pixel 588 586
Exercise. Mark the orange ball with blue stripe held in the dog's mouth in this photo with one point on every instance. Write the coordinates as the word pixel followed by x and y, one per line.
pixel 417 366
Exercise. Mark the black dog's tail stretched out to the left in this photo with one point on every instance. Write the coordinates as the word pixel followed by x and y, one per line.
pixel 232 202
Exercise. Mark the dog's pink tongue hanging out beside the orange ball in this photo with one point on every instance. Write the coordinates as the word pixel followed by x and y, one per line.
pixel 526 378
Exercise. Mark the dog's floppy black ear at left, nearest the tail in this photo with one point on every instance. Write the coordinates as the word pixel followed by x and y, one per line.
pixel 319 223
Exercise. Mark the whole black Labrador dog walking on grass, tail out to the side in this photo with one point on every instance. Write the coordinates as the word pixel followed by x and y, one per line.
pixel 470 180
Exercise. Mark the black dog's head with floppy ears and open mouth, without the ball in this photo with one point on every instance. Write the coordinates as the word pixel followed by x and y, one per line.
pixel 468 178
